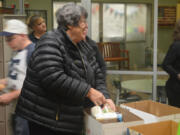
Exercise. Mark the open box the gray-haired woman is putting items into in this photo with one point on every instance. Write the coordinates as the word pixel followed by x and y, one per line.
pixel 110 127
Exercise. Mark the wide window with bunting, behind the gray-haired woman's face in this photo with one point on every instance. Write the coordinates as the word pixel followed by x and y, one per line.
pixel 119 22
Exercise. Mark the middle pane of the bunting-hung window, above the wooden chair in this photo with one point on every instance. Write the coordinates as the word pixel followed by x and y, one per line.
pixel 113 22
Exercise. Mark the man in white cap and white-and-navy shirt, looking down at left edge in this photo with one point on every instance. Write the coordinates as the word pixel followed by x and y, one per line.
pixel 15 33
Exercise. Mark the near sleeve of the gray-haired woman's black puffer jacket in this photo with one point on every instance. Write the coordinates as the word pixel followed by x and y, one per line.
pixel 48 63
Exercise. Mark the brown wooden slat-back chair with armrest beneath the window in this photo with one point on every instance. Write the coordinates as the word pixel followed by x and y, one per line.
pixel 111 52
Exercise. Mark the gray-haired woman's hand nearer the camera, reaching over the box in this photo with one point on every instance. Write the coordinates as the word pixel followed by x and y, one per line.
pixel 96 97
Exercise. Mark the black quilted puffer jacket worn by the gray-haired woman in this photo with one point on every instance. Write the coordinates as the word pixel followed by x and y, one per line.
pixel 58 79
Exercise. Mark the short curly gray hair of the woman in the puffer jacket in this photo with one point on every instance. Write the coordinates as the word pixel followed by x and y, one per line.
pixel 70 14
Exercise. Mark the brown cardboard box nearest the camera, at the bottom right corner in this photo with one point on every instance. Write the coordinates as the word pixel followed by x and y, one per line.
pixel 160 128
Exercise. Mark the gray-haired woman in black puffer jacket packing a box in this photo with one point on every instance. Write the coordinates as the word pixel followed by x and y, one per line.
pixel 63 78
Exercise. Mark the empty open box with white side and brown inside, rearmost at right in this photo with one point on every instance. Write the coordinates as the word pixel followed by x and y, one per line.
pixel 151 111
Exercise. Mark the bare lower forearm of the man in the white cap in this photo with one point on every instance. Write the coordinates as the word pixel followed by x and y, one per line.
pixel 8 97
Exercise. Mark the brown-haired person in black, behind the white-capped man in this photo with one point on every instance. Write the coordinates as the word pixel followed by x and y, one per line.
pixel 38 27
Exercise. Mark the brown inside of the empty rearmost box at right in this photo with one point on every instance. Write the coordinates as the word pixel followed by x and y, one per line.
pixel 154 108
